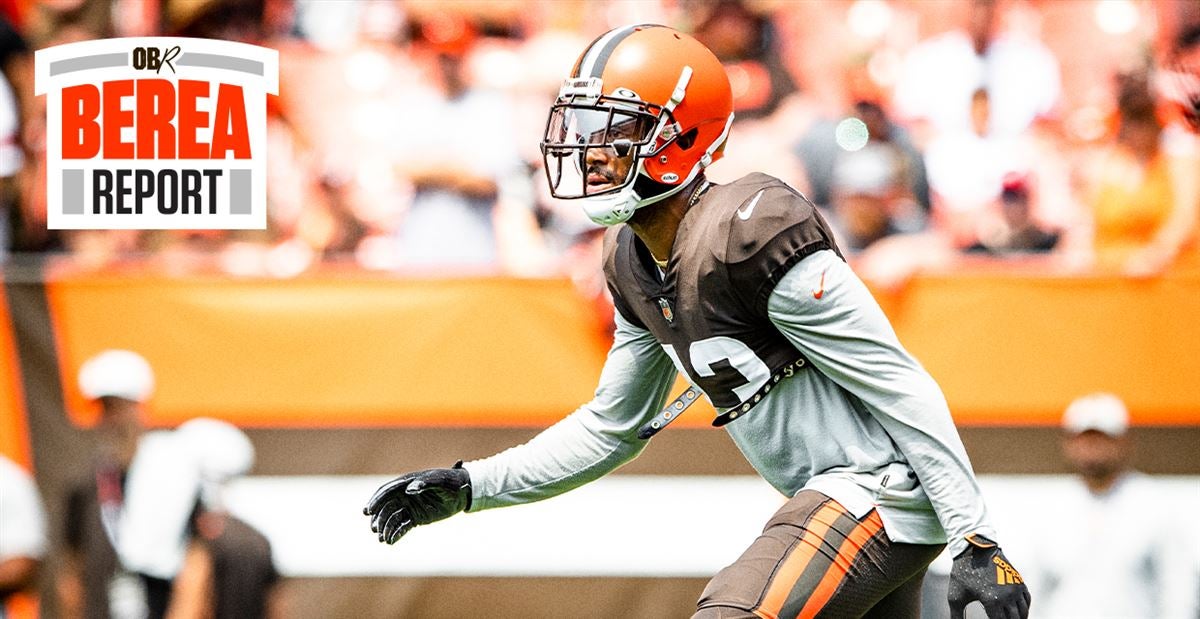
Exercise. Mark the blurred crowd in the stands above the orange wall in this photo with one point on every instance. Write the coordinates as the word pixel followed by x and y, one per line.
pixel 406 133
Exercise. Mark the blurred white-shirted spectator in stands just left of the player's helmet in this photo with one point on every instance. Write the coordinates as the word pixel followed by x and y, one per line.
pixel 455 147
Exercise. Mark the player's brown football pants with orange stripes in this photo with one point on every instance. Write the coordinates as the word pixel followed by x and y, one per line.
pixel 815 560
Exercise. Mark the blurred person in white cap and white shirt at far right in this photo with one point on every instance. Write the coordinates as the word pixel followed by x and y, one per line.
pixel 1115 551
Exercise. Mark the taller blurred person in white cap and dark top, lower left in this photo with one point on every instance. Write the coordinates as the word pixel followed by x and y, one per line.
pixel 93 584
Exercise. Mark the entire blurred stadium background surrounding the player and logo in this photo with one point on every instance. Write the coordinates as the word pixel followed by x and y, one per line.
pixel 1018 182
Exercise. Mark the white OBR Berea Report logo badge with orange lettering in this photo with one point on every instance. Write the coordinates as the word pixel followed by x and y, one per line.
pixel 157 134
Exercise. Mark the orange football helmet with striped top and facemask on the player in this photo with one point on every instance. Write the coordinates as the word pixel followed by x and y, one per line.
pixel 645 111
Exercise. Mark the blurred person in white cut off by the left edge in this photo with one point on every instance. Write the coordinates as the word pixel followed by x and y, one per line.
pixel 22 537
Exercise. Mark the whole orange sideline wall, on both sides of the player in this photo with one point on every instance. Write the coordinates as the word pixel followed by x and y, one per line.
pixel 332 350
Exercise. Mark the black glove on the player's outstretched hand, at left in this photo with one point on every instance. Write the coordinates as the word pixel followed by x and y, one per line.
pixel 418 498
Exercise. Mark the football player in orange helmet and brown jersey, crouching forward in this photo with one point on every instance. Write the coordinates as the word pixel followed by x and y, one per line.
pixel 741 289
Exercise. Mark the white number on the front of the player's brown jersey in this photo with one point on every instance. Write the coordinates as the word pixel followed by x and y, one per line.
pixel 725 369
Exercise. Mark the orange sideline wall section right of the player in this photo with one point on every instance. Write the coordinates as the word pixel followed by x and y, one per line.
pixel 1016 350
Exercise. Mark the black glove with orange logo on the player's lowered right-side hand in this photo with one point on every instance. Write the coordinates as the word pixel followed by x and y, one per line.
pixel 982 573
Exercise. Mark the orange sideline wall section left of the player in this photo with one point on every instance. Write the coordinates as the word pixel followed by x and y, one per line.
pixel 337 351
